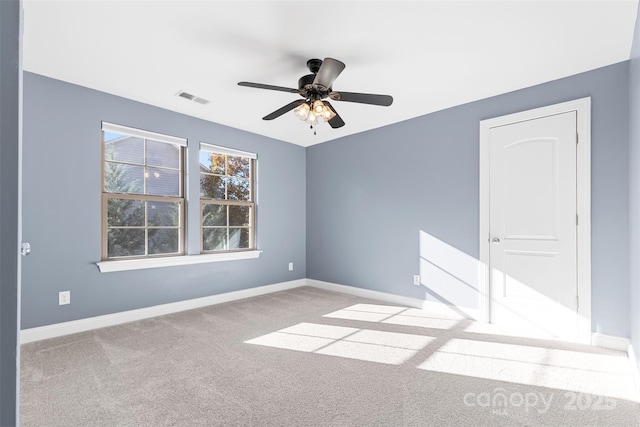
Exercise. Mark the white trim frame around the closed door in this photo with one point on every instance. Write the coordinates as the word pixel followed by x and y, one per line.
pixel 582 107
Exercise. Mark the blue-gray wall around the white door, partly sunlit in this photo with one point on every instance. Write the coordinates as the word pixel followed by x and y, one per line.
pixel 370 195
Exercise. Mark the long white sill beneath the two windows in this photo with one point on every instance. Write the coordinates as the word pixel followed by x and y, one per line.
pixel 139 264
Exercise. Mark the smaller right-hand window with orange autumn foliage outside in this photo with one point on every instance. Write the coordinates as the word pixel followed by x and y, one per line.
pixel 227 199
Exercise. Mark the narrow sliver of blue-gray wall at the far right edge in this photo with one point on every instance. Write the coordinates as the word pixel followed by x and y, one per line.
pixel 634 188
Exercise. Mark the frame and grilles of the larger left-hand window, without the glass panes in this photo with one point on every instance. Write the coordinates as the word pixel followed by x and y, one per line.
pixel 180 199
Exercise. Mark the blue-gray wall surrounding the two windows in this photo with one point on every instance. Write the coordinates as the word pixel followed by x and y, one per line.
pixel 62 202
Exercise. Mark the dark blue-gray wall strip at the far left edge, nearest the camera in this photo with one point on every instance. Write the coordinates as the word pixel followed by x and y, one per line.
pixel 10 69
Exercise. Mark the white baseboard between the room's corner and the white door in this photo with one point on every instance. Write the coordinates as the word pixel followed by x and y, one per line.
pixel 430 306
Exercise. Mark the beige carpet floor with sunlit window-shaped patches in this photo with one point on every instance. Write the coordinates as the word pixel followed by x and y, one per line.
pixel 309 357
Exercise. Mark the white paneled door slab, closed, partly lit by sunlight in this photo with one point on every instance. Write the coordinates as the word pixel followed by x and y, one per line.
pixel 532 225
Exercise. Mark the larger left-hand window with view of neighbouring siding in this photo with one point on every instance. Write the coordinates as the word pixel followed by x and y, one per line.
pixel 143 196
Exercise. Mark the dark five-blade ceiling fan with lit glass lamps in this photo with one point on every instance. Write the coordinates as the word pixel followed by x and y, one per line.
pixel 314 88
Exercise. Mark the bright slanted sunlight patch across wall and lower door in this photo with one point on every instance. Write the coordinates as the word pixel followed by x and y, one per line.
pixel 456 279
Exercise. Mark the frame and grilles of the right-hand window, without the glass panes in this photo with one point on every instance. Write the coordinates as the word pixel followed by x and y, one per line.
pixel 251 203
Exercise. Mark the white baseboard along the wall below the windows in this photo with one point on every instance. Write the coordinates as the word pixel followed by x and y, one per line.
pixel 82 325
